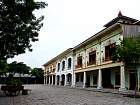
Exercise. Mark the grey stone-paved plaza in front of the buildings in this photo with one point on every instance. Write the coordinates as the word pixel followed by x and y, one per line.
pixel 52 95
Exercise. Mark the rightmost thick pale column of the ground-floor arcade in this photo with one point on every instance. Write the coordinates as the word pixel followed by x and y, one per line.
pixel 122 72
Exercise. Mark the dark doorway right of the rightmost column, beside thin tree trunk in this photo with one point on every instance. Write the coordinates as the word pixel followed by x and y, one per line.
pixel 132 80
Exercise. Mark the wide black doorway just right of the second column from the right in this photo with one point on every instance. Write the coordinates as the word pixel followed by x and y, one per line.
pixel 106 79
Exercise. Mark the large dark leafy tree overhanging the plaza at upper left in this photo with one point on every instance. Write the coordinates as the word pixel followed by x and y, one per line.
pixel 18 26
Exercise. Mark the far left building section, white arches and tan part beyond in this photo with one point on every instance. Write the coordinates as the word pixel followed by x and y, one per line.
pixel 62 72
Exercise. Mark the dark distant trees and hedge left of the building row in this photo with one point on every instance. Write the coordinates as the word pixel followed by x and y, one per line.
pixel 19 67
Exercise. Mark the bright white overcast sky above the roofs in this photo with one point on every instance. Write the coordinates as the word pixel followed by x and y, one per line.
pixel 69 22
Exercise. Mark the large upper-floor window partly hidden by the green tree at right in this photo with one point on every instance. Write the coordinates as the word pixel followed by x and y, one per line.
pixel 109 50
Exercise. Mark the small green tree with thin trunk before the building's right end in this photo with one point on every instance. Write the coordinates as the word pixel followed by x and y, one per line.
pixel 128 52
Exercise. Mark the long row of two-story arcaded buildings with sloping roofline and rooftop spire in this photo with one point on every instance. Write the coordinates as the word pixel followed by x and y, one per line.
pixel 89 63
